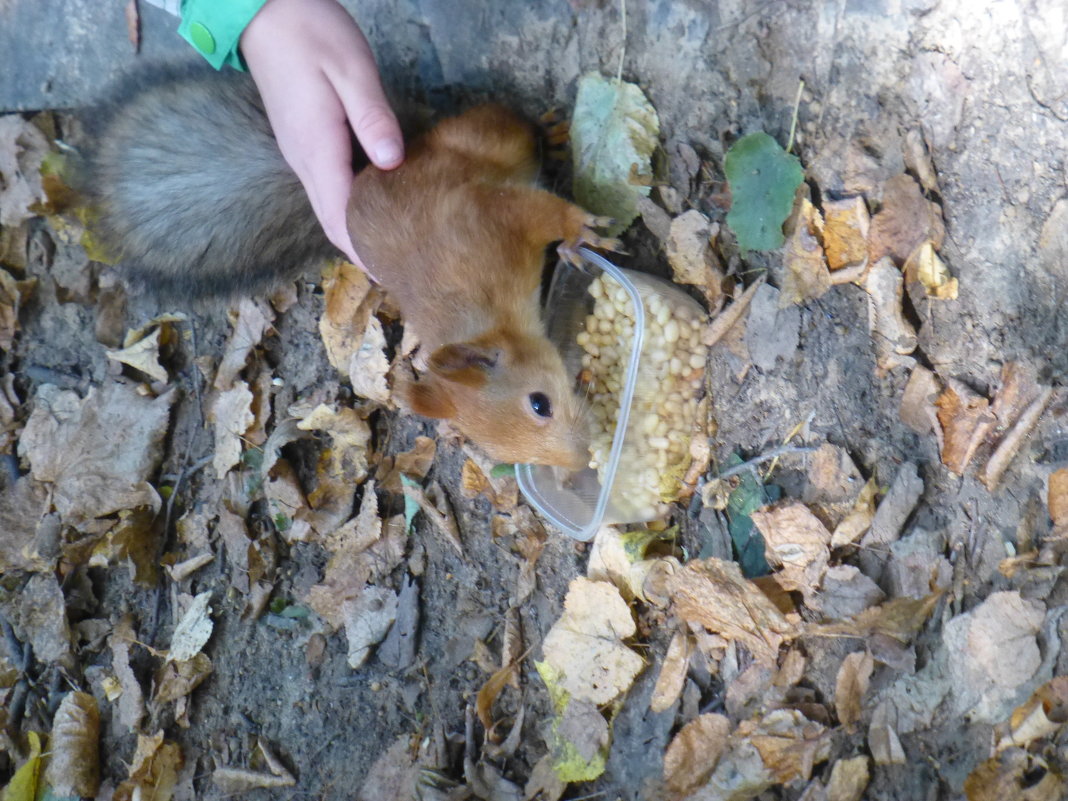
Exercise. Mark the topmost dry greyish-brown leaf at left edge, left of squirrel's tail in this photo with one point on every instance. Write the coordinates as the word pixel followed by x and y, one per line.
pixel 23 148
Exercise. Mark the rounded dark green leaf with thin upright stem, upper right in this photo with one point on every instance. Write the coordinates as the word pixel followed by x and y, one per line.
pixel 764 180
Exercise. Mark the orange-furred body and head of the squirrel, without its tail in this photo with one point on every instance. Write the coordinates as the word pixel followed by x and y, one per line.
pixel 458 237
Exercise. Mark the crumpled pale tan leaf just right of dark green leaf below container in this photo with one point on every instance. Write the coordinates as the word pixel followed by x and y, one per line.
pixel 796 543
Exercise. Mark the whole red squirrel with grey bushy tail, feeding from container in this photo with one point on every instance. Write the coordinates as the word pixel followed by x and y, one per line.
pixel 195 197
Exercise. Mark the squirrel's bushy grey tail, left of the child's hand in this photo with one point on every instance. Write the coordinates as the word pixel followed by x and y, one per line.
pixel 193 194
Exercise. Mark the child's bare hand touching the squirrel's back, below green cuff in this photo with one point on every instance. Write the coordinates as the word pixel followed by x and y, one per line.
pixel 318 77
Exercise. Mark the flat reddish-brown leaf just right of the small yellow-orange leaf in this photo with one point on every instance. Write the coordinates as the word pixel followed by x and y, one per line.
pixel 906 221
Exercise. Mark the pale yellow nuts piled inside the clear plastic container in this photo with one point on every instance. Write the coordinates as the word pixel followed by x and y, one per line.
pixel 656 452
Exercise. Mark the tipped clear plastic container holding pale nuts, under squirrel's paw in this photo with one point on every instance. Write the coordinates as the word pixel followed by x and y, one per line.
pixel 634 344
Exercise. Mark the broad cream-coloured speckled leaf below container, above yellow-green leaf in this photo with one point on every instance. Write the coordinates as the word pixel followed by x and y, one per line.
pixel 586 646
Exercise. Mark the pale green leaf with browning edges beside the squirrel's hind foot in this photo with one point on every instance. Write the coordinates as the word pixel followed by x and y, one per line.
pixel 615 132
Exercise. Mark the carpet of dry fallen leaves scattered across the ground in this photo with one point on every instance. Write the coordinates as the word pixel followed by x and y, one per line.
pixel 837 652
